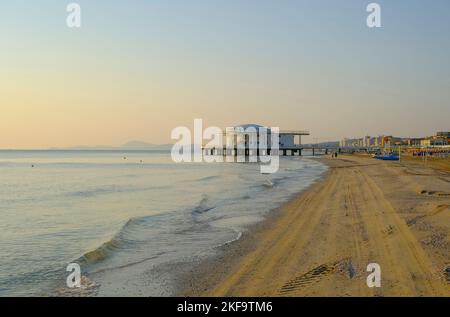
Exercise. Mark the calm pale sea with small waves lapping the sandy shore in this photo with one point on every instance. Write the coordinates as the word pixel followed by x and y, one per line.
pixel 122 213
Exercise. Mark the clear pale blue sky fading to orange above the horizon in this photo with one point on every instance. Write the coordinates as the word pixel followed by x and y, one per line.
pixel 137 69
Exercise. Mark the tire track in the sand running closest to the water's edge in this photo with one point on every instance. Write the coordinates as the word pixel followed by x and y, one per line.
pixel 254 274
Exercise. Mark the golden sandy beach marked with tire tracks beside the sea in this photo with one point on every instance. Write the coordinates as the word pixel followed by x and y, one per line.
pixel 364 211
